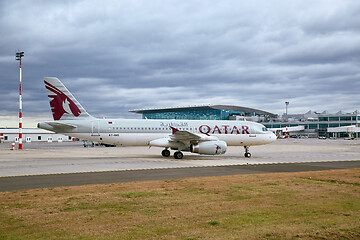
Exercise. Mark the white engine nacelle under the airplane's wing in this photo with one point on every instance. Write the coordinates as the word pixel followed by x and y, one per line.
pixel 209 147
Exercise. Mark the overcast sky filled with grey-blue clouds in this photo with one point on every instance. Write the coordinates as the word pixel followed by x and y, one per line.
pixel 115 56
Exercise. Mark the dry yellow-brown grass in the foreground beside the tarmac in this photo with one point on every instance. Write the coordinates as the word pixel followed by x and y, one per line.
pixel 310 205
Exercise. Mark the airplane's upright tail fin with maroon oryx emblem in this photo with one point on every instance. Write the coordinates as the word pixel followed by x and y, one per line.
pixel 63 104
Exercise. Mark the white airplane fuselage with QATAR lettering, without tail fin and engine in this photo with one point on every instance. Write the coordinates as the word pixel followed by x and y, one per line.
pixel 140 132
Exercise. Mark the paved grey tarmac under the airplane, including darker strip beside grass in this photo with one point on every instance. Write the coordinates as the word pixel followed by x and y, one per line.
pixel 69 163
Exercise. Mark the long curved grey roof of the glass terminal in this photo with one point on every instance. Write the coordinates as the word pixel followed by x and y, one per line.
pixel 204 107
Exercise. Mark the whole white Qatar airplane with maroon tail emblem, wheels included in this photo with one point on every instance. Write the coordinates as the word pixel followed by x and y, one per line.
pixel 209 137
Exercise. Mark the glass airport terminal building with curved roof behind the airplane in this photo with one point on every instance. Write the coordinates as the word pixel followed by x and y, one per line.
pixel 310 124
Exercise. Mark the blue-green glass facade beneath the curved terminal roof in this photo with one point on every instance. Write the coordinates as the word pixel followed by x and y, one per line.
pixel 204 114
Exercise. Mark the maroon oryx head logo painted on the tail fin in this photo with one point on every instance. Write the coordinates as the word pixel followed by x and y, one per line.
pixel 60 103
